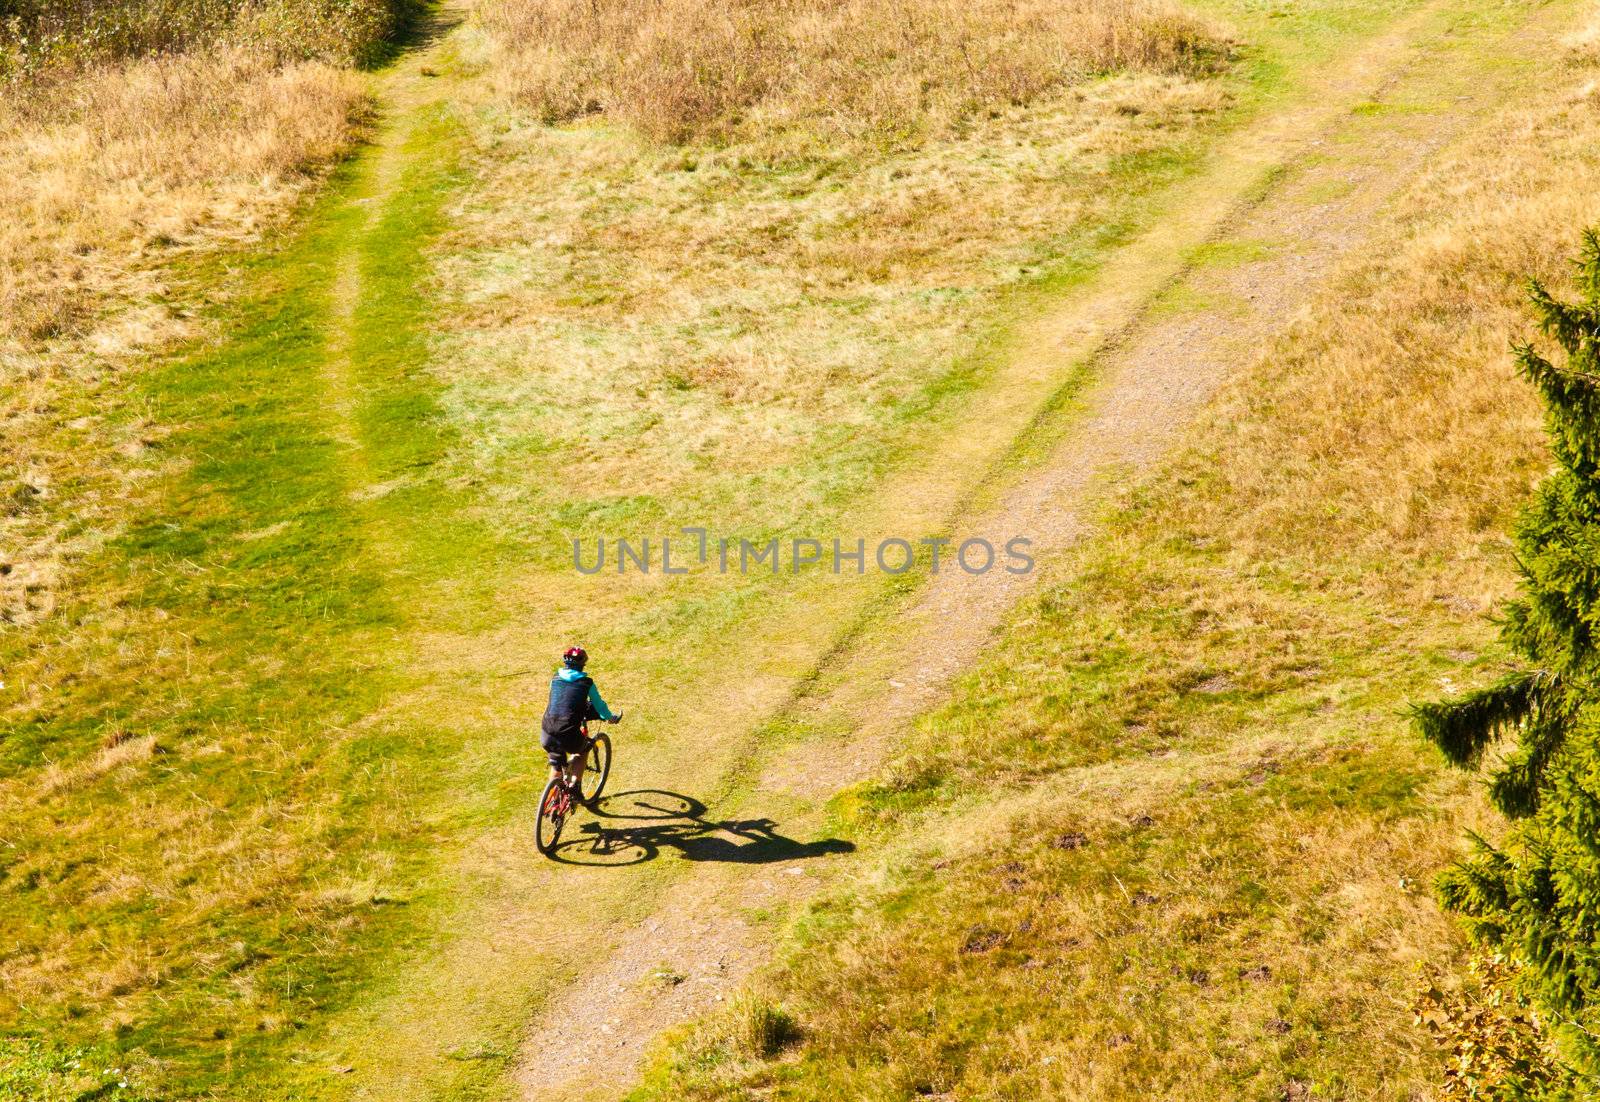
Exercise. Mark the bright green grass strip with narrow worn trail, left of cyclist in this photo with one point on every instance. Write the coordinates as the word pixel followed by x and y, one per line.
pixel 249 621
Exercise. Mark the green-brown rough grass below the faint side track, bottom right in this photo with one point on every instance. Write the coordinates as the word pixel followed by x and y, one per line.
pixel 1113 949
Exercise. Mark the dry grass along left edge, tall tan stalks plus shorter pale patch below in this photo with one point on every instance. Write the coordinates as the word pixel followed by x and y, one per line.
pixel 108 178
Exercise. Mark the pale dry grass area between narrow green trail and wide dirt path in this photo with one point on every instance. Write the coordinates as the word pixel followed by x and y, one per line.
pixel 782 297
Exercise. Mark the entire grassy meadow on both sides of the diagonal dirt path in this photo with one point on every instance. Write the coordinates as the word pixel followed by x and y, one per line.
pixel 318 354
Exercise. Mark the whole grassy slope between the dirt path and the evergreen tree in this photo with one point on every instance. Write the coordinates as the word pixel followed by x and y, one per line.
pixel 1178 837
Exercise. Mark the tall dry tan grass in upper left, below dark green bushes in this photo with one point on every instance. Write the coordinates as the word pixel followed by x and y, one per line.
pixel 108 169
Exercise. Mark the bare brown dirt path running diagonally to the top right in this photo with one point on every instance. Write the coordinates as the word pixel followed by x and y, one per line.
pixel 1161 343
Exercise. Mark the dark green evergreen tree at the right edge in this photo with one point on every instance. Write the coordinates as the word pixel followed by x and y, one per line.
pixel 1538 895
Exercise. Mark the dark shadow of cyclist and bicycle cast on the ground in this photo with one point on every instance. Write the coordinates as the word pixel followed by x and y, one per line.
pixel 633 828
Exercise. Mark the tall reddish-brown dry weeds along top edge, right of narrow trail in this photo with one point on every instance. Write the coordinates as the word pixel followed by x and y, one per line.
pixel 706 70
